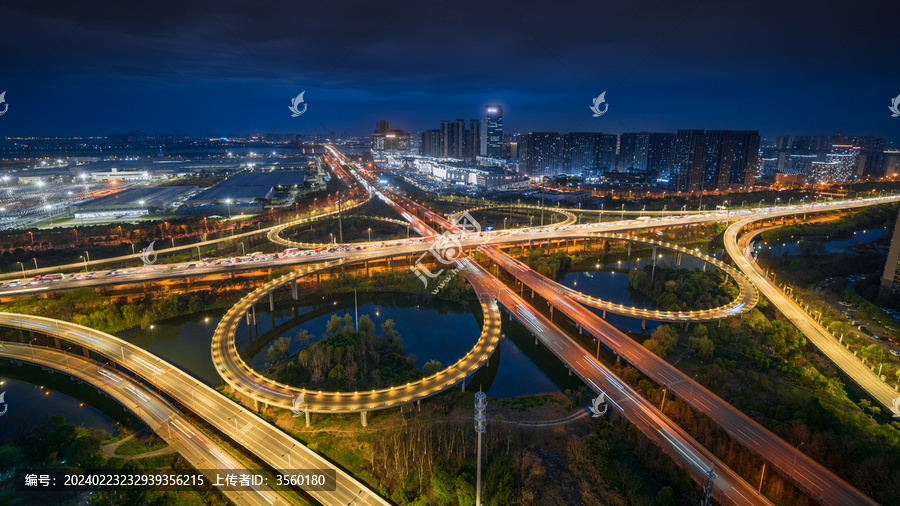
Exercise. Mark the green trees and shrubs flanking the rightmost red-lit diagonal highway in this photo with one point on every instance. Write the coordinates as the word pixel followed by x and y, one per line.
pixel 766 369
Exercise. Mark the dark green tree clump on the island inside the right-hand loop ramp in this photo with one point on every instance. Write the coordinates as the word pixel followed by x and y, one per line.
pixel 673 289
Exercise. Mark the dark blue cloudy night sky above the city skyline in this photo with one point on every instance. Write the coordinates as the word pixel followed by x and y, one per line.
pixel 231 68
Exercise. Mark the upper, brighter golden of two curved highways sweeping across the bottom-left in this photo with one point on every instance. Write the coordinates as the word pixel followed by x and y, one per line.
pixel 270 444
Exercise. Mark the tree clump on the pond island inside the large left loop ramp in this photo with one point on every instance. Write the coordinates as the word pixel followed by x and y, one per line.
pixel 346 359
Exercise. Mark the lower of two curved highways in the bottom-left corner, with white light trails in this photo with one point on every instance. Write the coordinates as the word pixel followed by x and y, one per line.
pixel 164 419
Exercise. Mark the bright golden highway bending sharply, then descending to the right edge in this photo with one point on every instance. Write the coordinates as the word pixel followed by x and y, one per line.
pixel 738 247
